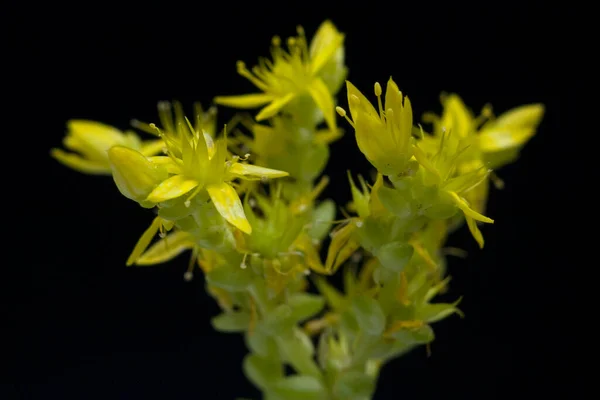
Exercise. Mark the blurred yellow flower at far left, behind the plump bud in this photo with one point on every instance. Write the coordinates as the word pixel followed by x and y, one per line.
pixel 90 142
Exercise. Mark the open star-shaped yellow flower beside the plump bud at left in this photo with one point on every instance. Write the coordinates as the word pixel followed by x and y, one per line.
pixel 197 163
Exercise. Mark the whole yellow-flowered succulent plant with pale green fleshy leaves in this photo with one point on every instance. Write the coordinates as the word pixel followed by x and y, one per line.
pixel 245 202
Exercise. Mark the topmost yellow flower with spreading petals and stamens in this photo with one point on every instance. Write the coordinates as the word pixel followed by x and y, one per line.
pixel 291 74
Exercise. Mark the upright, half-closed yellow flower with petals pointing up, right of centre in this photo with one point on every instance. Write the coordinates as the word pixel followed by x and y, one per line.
pixel 384 137
